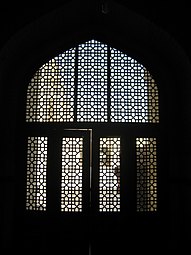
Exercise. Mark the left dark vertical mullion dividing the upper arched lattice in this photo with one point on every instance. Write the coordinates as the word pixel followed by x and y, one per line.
pixel 76 84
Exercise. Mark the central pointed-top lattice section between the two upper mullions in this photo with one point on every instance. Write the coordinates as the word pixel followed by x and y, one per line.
pixel 92 82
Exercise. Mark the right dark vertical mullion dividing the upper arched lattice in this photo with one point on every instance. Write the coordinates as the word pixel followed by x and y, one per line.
pixel 108 84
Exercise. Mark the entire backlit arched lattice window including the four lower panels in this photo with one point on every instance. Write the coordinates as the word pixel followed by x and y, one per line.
pixel 92 107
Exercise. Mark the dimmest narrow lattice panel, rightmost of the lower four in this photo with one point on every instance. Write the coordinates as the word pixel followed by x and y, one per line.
pixel 146 174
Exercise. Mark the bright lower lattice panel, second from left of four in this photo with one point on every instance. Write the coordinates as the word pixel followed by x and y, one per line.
pixel 71 180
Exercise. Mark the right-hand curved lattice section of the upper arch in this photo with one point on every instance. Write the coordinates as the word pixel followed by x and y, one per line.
pixel 134 94
